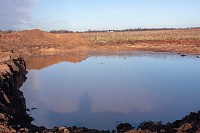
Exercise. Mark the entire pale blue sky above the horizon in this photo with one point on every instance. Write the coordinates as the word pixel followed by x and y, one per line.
pixel 79 15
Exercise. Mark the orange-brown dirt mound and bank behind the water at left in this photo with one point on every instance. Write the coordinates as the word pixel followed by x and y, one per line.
pixel 36 41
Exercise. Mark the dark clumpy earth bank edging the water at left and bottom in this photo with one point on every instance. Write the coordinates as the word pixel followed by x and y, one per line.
pixel 14 117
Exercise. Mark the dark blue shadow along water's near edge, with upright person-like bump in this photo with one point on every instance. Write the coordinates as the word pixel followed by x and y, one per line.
pixel 86 117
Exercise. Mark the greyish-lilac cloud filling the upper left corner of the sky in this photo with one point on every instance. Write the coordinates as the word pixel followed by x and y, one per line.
pixel 14 13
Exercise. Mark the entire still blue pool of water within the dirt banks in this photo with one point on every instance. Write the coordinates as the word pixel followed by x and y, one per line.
pixel 102 91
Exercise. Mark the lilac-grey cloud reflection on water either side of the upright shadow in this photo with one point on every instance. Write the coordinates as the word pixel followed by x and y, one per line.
pixel 120 102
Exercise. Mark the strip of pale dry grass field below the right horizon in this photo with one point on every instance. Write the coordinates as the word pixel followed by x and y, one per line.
pixel 110 37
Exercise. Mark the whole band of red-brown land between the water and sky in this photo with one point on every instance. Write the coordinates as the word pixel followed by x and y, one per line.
pixel 36 42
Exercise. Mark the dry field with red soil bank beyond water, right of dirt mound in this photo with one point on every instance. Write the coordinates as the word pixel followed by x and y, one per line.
pixel 180 41
